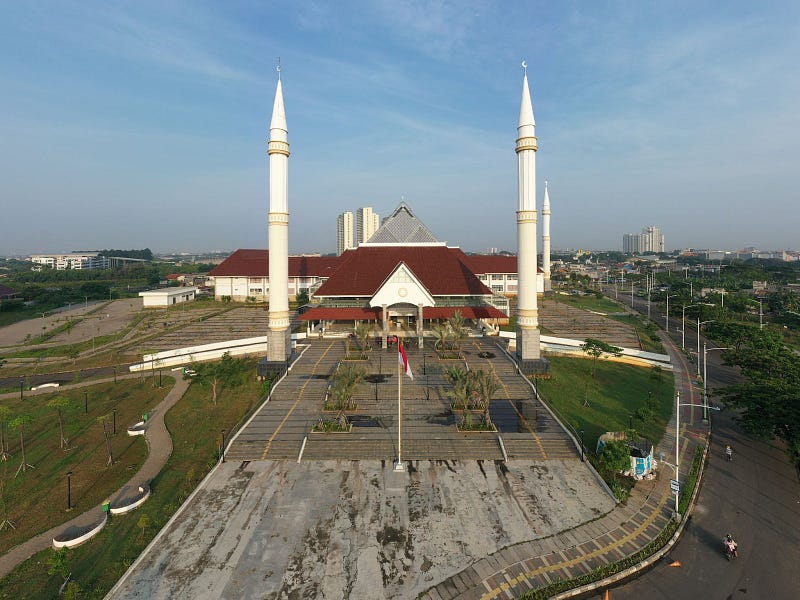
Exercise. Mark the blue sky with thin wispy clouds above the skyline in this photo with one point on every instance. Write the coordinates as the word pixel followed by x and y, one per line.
pixel 144 124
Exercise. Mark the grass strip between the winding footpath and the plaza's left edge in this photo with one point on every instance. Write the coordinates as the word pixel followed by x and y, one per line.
pixel 195 424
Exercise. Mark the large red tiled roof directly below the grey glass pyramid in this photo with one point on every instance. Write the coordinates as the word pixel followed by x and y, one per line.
pixel 440 269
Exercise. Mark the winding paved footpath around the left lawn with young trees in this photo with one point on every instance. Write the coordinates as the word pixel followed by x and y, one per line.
pixel 159 444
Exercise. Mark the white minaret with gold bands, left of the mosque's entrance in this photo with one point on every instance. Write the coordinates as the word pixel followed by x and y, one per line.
pixel 279 334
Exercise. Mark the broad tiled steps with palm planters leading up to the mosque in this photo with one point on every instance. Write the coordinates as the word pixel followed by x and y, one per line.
pixel 428 423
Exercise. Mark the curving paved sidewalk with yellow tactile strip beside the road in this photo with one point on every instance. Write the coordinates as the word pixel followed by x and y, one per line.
pixel 622 532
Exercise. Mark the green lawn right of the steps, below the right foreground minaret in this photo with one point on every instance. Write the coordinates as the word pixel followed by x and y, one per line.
pixel 613 394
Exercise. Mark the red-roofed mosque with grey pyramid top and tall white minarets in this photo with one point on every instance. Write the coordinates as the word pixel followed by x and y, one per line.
pixel 403 277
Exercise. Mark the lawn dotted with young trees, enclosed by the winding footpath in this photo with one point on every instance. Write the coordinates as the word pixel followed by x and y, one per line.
pixel 36 500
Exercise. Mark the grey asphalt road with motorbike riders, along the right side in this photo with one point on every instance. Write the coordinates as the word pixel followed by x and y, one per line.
pixel 756 498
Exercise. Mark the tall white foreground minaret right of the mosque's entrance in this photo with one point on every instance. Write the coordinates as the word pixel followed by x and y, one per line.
pixel 528 348
